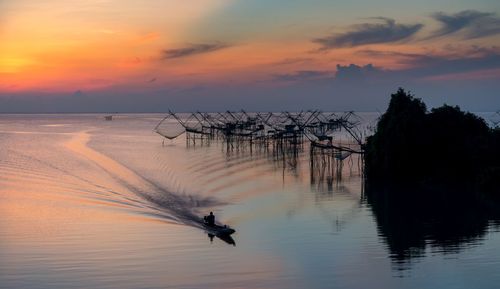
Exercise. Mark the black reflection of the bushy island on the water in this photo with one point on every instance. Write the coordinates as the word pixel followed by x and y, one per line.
pixel 412 221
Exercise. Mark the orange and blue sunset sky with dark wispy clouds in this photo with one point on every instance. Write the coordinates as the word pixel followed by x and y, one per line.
pixel 155 55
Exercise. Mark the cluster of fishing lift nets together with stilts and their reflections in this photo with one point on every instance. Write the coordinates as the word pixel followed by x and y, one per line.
pixel 333 139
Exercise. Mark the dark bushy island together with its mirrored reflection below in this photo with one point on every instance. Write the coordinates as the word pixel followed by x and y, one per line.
pixel 432 178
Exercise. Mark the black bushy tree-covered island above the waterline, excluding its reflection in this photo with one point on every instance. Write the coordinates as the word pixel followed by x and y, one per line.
pixel 444 149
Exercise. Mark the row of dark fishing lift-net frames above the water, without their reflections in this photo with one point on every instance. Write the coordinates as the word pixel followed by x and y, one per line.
pixel 319 127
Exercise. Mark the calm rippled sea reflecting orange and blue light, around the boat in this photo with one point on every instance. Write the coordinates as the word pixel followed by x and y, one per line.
pixel 89 203
